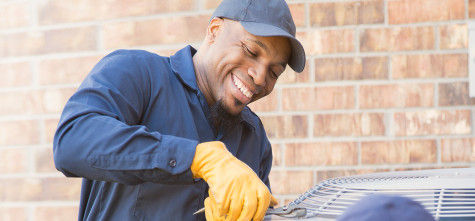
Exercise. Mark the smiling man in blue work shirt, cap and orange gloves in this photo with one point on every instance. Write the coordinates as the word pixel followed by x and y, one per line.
pixel 153 136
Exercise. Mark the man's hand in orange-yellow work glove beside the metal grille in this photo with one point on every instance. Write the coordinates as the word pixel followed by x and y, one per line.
pixel 235 191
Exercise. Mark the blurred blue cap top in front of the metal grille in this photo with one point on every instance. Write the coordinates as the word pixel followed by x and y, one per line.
pixel 378 207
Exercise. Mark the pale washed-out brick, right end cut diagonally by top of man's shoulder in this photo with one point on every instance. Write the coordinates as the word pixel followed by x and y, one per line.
pixel 65 71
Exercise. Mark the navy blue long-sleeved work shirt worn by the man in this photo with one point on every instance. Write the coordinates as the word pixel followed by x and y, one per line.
pixel 131 131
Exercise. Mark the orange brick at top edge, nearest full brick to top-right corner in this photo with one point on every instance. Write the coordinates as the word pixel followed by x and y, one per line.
pixel 410 11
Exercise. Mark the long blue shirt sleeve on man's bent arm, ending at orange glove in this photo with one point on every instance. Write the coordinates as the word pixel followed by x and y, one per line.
pixel 99 136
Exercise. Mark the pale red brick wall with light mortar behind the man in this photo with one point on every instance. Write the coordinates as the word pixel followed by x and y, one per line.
pixel 385 88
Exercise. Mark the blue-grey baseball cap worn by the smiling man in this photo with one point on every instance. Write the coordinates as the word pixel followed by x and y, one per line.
pixel 265 18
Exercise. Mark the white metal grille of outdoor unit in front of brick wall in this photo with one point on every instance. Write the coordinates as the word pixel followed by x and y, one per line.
pixel 446 193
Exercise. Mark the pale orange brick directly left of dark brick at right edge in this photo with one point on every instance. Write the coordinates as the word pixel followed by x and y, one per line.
pixel 396 95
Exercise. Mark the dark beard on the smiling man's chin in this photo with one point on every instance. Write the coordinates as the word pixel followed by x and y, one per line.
pixel 221 118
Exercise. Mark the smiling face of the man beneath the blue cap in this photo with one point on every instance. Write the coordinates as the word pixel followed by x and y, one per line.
pixel 243 68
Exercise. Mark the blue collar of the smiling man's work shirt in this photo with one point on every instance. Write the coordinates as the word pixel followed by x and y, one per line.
pixel 182 65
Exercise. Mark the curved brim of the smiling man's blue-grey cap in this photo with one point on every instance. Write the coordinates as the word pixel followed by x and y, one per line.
pixel 297 58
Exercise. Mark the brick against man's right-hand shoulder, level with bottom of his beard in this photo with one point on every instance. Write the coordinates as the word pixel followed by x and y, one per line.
pixel 285 126
